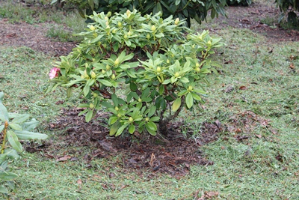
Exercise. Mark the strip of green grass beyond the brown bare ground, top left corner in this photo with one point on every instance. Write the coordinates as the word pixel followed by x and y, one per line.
pixel 61 24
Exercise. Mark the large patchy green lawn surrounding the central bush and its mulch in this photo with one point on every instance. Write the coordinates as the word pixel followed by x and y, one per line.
pixel 245 169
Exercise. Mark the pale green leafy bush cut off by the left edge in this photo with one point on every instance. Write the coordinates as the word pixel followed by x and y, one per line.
pixel 13 128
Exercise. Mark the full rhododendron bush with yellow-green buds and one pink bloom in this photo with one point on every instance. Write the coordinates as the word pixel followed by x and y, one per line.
pixel 142 69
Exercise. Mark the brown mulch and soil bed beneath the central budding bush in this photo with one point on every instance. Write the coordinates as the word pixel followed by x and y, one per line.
pixel 172 155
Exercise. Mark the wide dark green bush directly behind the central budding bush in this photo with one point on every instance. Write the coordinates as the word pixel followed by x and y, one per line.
pixel 182 9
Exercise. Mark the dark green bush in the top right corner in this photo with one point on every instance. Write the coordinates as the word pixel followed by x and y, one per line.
pixel 290 7
